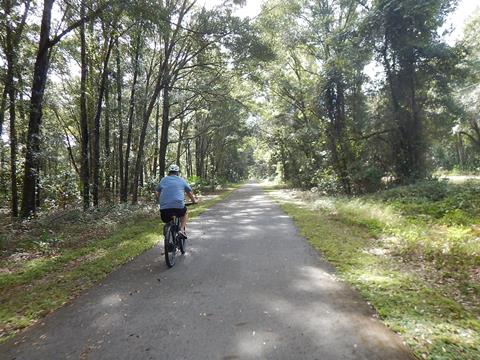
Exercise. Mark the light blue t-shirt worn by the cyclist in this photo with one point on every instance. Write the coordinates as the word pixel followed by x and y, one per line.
pixel 172 190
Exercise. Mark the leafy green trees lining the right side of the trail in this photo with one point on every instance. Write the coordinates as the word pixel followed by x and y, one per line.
pixel 335 128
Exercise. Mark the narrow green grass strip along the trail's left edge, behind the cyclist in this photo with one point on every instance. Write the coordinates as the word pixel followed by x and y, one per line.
pixel 40 286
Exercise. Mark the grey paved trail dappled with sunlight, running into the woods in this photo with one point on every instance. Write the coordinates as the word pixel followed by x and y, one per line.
pixel 249 287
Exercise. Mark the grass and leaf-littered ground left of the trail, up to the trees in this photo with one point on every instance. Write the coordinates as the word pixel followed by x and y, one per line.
pixel 47 261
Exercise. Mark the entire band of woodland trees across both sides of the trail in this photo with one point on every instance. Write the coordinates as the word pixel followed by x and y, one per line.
pixel 98 98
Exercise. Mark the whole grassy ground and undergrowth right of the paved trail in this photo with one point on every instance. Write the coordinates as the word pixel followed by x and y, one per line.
pixel 414 254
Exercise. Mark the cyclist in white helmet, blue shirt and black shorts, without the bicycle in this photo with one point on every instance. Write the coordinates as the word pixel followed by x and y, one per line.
pixel 170 191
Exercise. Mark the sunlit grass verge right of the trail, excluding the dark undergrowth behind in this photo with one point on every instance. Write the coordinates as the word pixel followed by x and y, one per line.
pixel 382 254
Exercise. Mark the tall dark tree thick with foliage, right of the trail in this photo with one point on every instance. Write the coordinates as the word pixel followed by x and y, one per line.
pixel 406 36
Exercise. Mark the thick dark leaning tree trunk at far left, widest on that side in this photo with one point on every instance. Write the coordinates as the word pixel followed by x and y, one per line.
pixel 33 137
